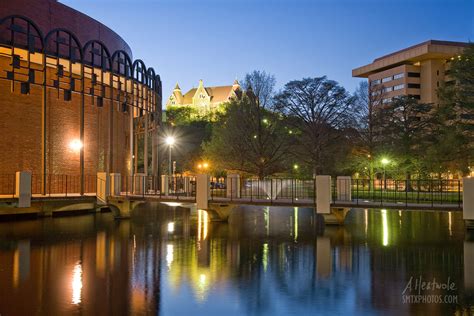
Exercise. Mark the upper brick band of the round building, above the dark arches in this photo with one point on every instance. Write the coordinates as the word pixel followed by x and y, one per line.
pixel 50 14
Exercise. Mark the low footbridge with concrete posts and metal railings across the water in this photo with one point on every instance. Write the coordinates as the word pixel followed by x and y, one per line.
pixel 332 198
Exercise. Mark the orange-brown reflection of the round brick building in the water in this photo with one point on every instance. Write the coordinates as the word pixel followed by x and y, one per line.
pixel 60 276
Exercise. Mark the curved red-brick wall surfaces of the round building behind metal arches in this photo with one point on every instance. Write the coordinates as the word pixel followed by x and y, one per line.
pixel 21 128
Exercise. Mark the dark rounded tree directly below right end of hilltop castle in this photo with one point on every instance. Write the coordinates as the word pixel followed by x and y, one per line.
pixel 248 139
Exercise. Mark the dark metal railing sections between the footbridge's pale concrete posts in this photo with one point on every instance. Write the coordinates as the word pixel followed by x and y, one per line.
pixel 432 192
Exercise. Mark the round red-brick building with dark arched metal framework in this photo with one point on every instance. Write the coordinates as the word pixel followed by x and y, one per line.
pixel 72 100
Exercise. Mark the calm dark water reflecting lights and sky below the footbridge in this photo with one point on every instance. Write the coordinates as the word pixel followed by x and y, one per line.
pixel 266 261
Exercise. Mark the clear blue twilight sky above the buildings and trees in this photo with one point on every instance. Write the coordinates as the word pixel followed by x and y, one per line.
pixel 220 40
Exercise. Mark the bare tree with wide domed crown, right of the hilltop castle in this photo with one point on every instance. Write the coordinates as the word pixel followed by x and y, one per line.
pixel 320 111
